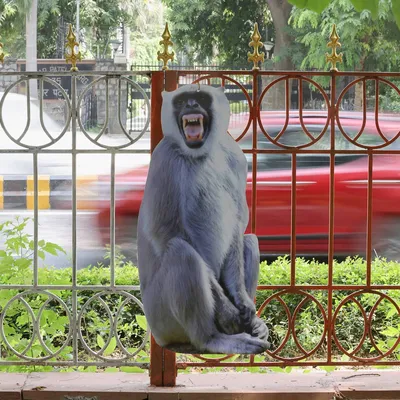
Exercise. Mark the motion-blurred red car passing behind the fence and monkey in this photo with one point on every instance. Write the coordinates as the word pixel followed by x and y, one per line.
pixel 273 216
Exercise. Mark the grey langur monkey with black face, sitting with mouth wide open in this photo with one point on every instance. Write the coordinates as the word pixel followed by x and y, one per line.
pixel 198 270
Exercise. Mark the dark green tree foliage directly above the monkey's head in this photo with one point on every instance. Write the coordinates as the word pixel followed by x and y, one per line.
pixel 216 31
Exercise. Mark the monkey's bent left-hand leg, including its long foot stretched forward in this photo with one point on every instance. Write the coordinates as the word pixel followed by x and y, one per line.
pixel 187 292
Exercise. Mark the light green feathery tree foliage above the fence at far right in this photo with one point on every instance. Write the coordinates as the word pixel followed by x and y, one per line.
pixel 367 43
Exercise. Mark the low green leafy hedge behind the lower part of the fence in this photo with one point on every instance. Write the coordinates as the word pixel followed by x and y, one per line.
pixel 16 268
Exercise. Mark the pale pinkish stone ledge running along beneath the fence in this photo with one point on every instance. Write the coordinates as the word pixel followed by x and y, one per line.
pixel 364 384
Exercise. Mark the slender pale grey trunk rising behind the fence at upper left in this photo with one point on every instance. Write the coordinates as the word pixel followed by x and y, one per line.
pixel 31 45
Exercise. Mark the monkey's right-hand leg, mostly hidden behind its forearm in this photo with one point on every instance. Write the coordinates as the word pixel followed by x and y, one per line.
pixel 251 253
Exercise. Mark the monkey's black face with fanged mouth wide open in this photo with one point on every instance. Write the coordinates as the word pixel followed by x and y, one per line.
pixel 193 114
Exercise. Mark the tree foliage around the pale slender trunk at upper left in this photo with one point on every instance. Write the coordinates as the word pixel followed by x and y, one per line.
pixel 99 18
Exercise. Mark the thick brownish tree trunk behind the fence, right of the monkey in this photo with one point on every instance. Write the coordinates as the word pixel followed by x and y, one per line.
pixel 280 11
